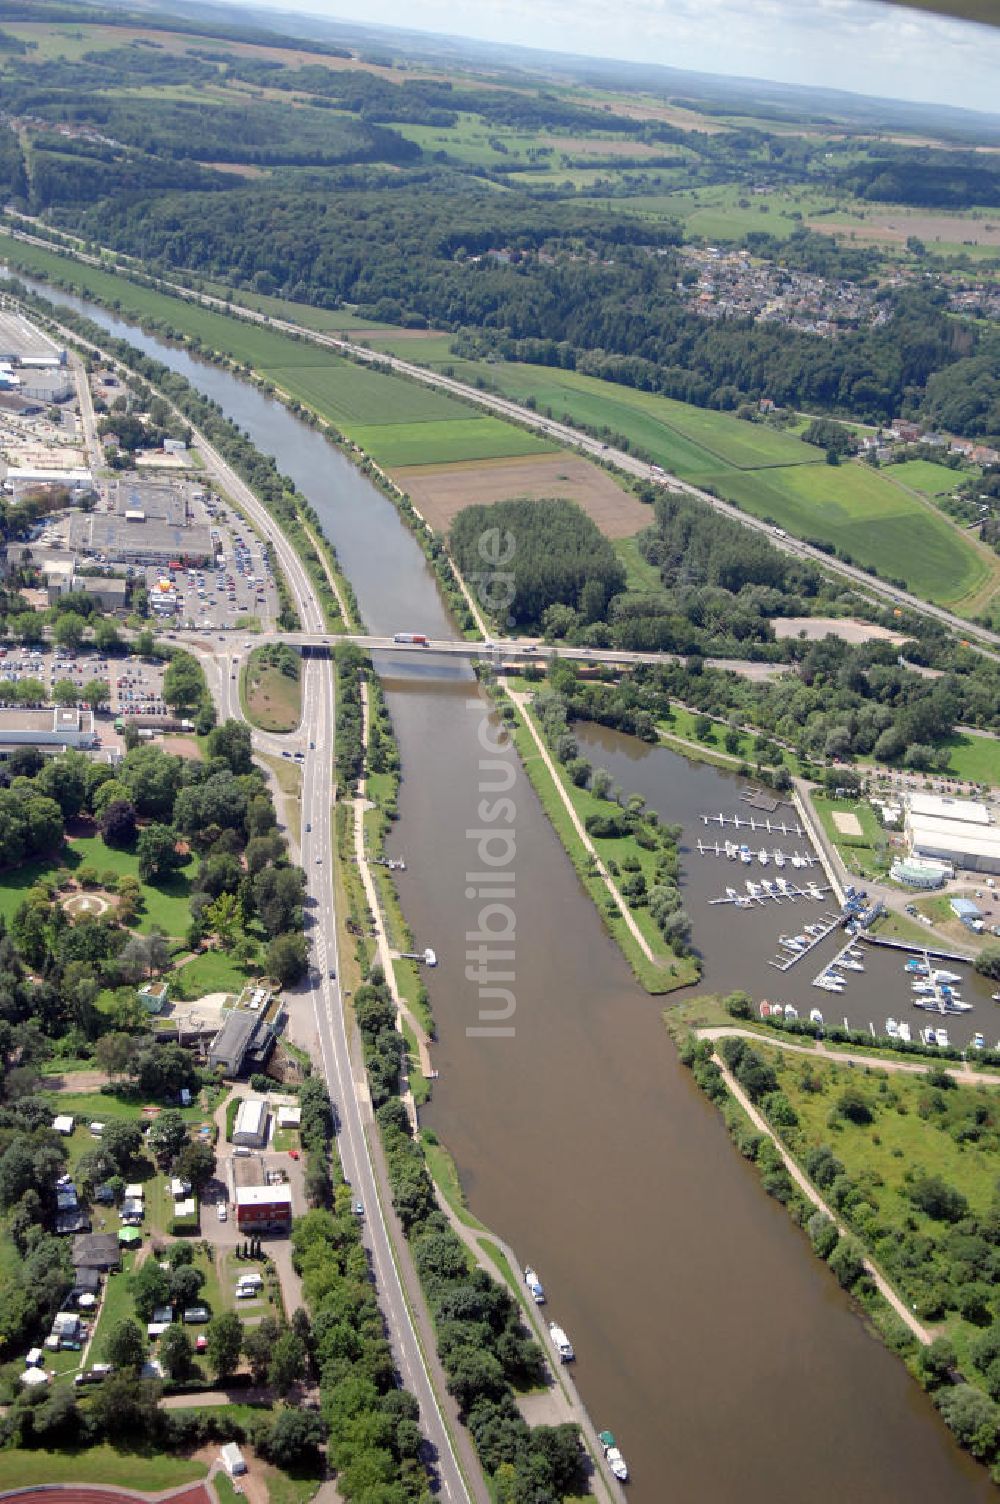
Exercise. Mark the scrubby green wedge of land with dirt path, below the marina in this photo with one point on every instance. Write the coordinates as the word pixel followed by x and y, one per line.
pixel 868 1156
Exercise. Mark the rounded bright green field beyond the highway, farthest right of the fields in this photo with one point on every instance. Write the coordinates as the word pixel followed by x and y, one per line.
pixel 856 509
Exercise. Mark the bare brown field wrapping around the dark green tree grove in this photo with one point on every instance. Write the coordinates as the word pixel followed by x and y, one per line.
pixel 440 493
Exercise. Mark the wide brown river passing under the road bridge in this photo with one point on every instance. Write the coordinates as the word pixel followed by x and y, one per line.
pixel 708 1336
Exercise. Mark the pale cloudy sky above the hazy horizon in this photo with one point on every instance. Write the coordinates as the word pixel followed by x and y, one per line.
pixel 843 44
